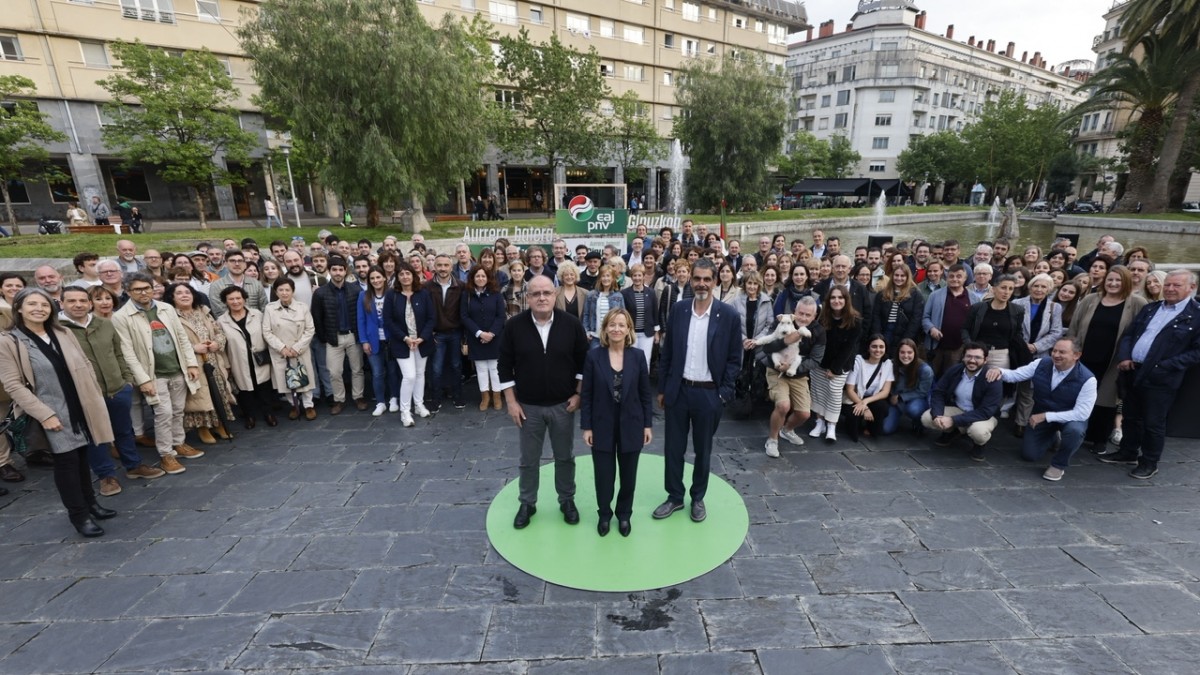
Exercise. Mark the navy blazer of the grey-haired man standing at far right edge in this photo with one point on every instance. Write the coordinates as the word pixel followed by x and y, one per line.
pixel 1175 350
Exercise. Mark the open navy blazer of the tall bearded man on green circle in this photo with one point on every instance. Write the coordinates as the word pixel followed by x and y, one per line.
pixel 724 350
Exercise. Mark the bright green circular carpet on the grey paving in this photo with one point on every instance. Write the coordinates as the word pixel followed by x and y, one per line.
pixel 657 554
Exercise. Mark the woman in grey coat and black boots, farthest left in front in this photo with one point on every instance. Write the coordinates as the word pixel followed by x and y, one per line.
pixel 53 386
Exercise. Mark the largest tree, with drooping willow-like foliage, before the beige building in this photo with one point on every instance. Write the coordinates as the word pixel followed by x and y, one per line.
pixel 392 104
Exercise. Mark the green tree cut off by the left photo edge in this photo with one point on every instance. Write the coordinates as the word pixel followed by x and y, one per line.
pixel 23 135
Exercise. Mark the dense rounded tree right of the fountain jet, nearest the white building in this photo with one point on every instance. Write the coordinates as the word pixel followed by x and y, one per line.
pixel 733 127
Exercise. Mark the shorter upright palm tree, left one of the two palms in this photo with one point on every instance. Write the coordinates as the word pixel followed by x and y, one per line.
pixel 1150 86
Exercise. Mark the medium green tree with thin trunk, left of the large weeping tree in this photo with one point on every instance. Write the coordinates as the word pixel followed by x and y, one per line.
pixel 176 112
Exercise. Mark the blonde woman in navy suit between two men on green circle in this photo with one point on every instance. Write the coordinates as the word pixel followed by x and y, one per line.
pixel 616 416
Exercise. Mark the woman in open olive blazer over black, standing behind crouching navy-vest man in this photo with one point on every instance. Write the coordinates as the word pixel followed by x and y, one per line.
pixel 1100 322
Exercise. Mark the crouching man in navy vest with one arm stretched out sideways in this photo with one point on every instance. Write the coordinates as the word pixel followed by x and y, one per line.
pixel 1064 397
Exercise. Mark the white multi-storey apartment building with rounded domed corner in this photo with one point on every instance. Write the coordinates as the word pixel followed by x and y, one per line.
pixel 885 80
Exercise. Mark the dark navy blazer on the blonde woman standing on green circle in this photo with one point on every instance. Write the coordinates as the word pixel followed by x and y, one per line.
pixel 598 411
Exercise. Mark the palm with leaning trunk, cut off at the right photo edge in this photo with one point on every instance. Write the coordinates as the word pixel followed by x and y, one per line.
pixel 1178 21
